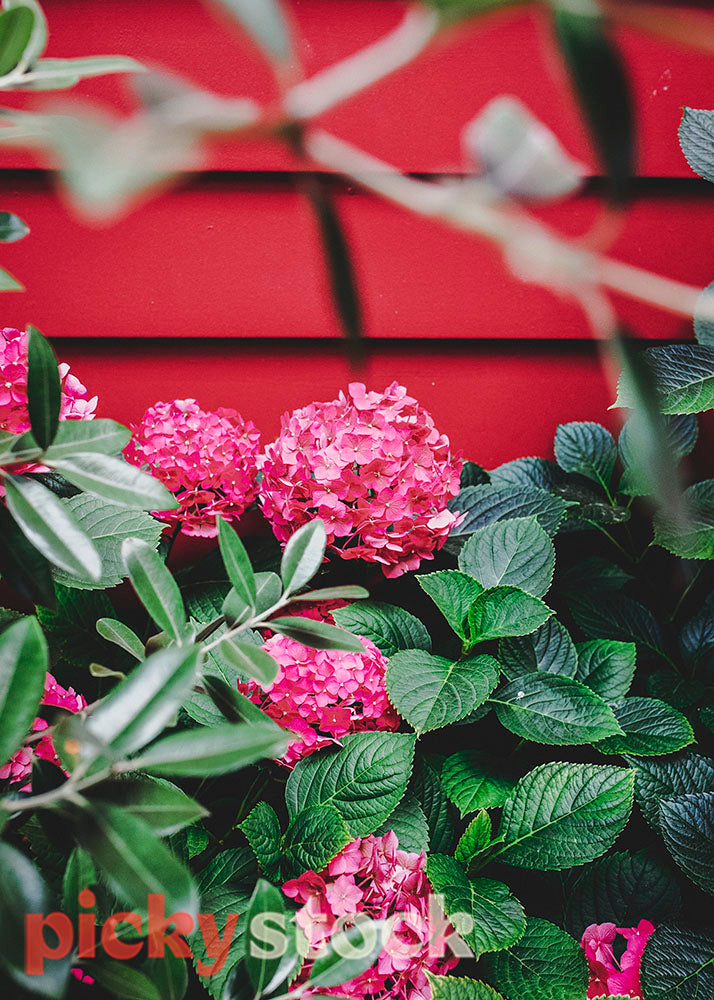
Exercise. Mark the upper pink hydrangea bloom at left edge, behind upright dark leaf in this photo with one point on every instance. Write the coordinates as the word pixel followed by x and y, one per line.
pixel 75 402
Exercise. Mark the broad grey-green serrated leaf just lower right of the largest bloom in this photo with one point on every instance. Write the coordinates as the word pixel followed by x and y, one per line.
pixel 516 552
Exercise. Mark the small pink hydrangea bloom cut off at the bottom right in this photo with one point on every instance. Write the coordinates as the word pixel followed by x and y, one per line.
pixel 608 977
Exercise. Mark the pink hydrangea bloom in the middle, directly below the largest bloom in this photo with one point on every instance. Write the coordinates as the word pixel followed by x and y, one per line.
pixel 321 695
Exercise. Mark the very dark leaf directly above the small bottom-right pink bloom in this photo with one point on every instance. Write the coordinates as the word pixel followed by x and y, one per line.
pixel 618 889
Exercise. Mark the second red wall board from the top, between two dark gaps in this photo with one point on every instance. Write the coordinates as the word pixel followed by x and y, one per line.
pixel 228 259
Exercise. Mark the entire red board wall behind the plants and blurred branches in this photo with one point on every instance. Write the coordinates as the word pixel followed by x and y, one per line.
pixel 216 289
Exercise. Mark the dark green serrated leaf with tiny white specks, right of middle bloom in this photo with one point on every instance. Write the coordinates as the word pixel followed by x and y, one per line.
pixel 559 711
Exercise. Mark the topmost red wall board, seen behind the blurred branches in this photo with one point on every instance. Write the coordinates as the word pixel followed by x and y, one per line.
pixel 412 119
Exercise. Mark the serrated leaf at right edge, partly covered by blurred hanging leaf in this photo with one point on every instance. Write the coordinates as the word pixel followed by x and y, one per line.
pixel 683 376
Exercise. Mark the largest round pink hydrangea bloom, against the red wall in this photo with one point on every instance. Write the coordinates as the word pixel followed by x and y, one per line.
pixel 373 467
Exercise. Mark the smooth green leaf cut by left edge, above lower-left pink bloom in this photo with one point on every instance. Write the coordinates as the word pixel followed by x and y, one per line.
pixel 23 665
